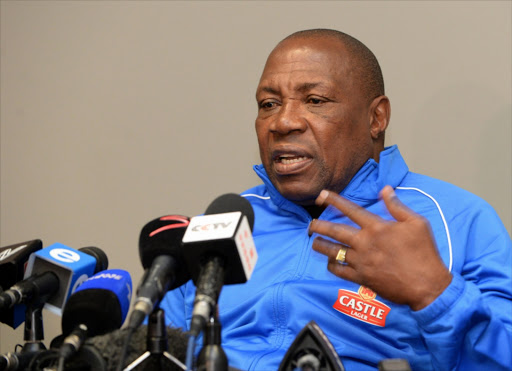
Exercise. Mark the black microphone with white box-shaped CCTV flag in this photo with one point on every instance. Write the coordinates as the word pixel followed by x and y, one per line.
pixel 218 249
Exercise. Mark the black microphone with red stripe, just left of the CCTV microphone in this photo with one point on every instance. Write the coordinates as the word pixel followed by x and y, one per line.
pixel 162 257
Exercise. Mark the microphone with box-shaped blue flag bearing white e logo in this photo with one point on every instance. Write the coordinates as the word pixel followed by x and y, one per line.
pixel 52 274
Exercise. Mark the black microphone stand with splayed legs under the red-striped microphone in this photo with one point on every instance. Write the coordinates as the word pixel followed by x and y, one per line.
pixel 156 344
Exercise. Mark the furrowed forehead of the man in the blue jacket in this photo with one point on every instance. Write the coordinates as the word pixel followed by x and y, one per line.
pixel 307 62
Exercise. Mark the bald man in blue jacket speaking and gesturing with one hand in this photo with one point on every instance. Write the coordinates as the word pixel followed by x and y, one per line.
pixel 416 268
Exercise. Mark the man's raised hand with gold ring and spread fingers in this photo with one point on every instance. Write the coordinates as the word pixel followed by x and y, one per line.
pixel 396 259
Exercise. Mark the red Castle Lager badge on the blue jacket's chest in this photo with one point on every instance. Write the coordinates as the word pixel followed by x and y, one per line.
pixel 362 306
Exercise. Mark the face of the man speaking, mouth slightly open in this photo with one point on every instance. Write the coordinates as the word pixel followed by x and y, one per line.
pixel 313 123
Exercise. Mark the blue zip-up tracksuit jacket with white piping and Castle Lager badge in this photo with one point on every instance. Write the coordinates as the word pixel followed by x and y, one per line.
pixel 468 327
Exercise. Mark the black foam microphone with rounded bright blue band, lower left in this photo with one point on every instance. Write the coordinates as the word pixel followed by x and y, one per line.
pixel 98 306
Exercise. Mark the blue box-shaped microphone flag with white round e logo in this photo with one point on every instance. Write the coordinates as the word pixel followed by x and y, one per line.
pixel 71 266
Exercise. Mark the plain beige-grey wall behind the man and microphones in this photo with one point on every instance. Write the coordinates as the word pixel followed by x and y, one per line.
pixel 114 113
